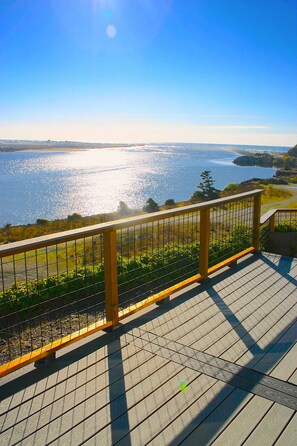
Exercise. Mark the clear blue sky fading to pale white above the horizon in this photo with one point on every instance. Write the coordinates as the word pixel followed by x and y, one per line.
pixel 205 71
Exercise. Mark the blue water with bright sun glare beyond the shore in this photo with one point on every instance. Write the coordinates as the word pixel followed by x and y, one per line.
pixel 53 185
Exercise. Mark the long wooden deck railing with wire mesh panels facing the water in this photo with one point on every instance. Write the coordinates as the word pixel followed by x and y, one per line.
pixel 59 288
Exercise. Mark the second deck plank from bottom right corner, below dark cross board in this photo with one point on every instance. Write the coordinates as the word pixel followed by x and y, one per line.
pixel 271 426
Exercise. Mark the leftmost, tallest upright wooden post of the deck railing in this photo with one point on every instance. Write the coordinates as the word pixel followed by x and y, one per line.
pixel 111 277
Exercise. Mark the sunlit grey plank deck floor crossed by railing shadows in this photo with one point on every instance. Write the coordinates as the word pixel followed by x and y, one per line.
pixel 217 365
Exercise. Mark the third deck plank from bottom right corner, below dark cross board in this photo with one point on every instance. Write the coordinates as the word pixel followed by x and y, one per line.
pixel 245 422
